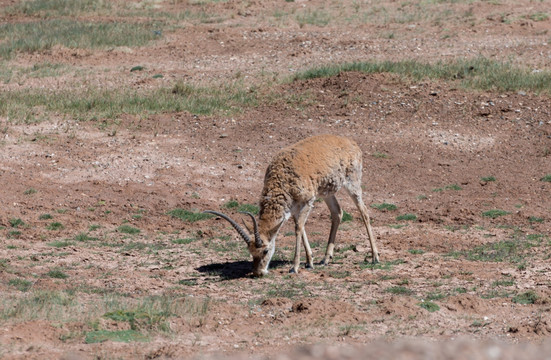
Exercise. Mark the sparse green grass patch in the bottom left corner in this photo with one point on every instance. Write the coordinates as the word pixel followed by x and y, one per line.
pixel 145 314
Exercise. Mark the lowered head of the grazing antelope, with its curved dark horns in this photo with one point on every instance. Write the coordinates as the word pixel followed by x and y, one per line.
pixel 261 248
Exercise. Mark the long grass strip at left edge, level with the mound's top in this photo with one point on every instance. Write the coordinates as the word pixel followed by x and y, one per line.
pixel 31 105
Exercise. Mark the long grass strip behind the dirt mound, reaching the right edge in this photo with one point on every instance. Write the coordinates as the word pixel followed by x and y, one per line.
pixel 478 73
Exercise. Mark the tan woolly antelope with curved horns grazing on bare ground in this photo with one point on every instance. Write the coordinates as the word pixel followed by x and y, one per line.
pixel 316 167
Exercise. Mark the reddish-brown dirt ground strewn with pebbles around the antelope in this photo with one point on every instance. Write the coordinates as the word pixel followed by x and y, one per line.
pixel 94 198
